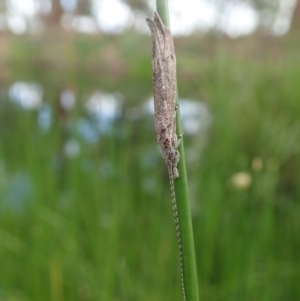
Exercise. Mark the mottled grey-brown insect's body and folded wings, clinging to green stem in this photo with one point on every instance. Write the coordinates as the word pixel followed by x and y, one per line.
pixel 164 88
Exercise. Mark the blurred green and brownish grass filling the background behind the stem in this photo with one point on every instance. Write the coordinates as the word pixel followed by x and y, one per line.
pixel 99 226
